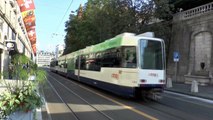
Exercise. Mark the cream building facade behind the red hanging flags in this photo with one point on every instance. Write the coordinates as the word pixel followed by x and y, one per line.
pixel 13 35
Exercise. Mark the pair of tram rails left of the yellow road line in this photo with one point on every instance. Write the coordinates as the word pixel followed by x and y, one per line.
pixel 76 95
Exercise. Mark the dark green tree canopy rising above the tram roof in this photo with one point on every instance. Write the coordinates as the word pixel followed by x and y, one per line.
pixel 99 20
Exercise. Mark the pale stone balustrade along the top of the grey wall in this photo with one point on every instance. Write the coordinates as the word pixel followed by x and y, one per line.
pixel 195 12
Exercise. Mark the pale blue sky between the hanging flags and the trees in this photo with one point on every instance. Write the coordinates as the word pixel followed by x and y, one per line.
pixel 49 23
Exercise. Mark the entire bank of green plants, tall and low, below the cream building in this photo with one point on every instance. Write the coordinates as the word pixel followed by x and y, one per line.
pixel 21 94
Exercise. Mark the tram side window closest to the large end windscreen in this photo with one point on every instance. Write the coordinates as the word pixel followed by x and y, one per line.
pixel 129 59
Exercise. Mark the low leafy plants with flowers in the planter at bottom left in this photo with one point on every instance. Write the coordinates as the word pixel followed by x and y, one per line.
pixel 24 99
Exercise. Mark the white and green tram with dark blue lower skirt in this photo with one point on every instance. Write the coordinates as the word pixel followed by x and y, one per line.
pixel 127 64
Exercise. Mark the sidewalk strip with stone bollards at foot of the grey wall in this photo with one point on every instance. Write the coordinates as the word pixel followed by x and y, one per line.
pixel 203 91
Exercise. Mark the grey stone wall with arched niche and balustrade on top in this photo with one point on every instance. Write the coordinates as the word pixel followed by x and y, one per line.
pixel 192 38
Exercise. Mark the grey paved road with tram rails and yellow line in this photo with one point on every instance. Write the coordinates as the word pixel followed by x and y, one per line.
pixel 70 100
